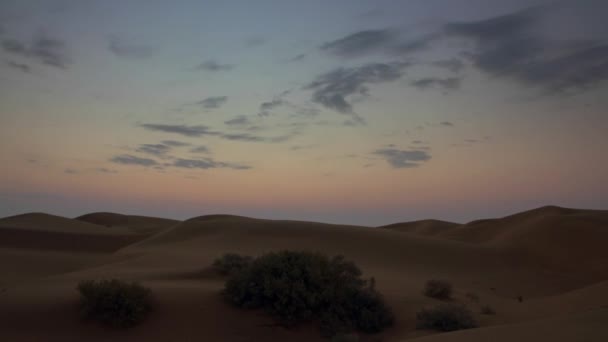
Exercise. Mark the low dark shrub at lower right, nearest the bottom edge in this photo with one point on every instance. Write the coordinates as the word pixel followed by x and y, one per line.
pixel 446 317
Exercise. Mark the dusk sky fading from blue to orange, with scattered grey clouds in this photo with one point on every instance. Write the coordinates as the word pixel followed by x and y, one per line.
pixel 342 111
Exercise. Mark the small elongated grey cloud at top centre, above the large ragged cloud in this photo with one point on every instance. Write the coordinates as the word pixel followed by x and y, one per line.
pixel 360 43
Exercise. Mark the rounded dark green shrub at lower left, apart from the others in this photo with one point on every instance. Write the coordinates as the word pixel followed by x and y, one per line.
pixel 114 302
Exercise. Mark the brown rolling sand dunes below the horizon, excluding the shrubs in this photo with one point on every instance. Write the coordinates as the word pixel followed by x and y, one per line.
pixel 544 273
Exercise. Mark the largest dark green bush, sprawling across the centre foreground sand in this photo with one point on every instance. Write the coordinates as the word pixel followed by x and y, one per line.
pixel 296 287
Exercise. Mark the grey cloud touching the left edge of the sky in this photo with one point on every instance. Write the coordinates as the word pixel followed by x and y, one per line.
pixel 43 49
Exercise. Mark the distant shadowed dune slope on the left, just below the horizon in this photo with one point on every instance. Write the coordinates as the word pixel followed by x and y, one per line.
pixel 134 223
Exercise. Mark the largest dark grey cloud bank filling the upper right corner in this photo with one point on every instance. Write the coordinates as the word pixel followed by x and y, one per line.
pixel 519 46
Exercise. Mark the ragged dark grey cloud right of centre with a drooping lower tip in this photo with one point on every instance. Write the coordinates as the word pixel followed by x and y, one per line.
pixel 332 89
